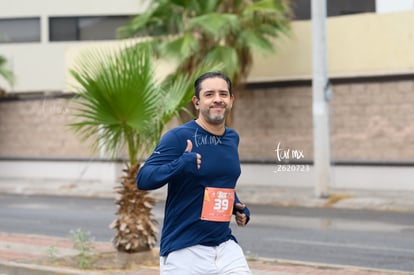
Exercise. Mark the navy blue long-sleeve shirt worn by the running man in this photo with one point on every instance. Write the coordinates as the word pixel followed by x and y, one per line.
pixel 220 168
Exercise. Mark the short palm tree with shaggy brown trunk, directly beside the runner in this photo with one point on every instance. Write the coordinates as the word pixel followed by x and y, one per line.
pixel 121 104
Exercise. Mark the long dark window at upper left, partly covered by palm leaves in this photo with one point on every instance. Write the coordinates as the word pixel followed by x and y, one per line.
pixel 85 28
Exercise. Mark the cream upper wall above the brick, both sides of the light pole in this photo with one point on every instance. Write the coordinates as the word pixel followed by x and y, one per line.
pixel 358 45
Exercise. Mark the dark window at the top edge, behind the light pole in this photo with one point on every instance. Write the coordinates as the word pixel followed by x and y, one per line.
pixel 302 8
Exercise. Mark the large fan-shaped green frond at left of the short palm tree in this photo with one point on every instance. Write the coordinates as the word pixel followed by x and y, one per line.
pixel 117 95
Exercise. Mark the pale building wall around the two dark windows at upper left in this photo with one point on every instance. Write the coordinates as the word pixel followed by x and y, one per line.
pixel 40 66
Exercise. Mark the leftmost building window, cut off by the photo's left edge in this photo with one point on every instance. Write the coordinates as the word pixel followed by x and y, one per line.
pixel 15 30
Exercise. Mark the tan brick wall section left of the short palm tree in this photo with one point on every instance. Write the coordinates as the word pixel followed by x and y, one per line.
pixel 37 128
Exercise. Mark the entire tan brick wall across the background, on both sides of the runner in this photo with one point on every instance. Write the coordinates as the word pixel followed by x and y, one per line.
pixel 371 120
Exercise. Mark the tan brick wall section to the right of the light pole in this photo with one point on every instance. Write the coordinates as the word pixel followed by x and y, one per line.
pixel 373 121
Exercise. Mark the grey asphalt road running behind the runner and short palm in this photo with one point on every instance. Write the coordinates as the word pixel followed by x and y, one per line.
pixel 335 236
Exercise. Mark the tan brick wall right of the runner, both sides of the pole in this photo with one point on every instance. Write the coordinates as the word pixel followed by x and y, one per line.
pixel 370 121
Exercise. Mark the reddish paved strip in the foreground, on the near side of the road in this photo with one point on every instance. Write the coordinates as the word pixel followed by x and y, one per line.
pixel 26 254
